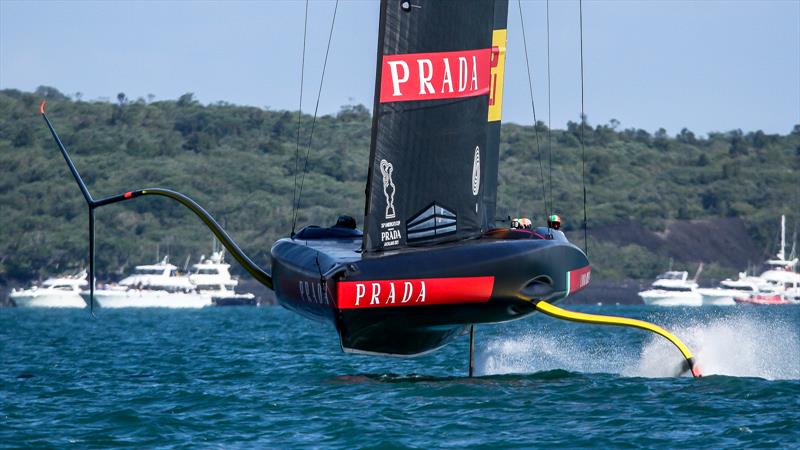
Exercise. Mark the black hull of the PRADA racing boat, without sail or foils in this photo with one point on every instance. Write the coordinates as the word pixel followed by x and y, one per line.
pixel 411 302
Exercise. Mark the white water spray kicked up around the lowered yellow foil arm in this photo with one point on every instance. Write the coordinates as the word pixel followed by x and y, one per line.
pixel 733 346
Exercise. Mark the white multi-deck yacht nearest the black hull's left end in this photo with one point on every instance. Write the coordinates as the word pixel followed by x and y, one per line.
pixel 211 276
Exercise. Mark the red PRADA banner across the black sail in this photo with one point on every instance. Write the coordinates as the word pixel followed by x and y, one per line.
pixel 433 76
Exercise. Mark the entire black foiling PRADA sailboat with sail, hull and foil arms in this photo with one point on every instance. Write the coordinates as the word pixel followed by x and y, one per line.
pixel 430 262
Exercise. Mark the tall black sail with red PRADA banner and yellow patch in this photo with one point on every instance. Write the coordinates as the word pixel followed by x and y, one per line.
pixel 436 123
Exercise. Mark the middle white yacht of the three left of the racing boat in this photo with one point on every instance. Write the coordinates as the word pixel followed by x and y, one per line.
pixel 151 286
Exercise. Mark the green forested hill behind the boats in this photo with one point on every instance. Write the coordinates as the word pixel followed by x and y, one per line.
pixel 239 162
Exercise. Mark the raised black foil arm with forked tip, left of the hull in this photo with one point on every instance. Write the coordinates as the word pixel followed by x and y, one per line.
pixel 257 272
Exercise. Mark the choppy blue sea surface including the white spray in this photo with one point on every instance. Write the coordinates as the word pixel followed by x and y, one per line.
pixel 264 377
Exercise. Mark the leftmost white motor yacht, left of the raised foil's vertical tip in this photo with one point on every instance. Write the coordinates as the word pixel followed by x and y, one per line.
pixel 57 292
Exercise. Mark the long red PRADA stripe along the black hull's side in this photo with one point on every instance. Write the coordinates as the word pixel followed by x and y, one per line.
pixel 413 292
